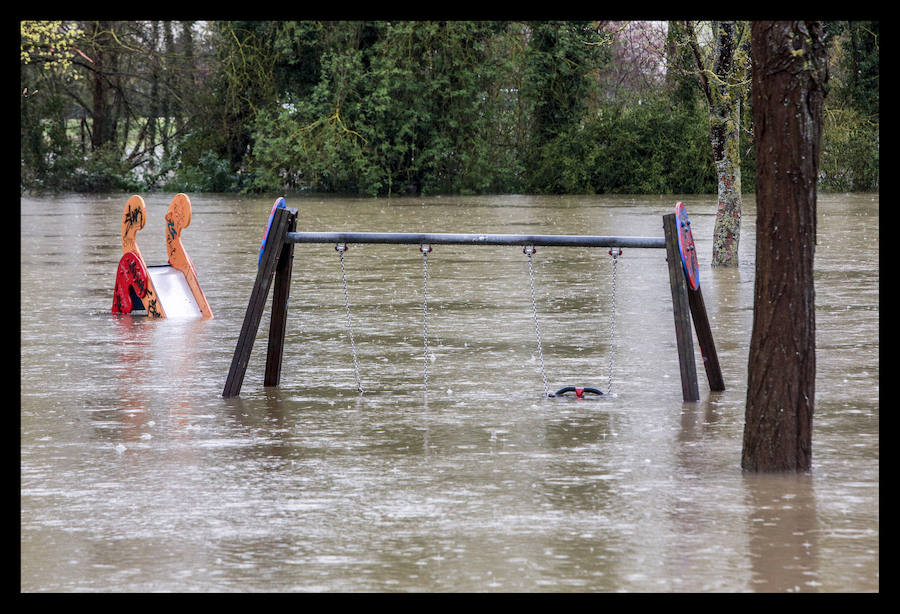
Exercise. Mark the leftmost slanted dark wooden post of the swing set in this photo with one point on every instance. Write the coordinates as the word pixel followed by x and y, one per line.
pixel 265 272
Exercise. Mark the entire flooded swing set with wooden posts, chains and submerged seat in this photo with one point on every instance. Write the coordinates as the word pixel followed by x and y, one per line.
pixel 276 259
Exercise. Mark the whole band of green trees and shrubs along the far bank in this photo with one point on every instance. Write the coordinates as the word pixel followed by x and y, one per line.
pixel 382 108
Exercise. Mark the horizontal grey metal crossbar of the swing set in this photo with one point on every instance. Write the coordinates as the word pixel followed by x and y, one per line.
pixel 416 238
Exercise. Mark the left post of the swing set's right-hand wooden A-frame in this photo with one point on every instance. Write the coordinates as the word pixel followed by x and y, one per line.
pixel 681 309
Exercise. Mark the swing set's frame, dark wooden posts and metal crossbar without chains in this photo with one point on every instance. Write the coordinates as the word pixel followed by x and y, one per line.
pixel 275 265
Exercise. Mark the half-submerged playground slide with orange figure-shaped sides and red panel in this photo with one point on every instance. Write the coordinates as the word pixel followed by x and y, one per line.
pixel 166 290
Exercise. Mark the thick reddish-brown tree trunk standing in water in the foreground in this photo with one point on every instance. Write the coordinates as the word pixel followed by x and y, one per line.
pixel 789 74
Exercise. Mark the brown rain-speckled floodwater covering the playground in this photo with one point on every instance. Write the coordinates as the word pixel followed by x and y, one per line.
pixel 136 475
